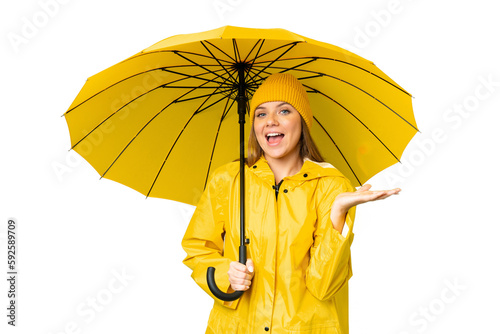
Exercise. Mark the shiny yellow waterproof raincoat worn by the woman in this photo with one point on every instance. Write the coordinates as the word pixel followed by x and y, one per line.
pixel 302 264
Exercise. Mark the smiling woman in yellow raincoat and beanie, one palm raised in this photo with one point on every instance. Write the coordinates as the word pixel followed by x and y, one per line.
pixel 299 251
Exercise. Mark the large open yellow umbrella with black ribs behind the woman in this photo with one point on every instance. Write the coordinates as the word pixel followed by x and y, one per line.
pixel 162 120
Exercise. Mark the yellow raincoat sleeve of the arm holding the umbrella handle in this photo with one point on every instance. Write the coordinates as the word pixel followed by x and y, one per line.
pixel 204 241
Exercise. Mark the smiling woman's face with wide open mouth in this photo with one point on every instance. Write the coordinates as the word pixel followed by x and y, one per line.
pixel 278 128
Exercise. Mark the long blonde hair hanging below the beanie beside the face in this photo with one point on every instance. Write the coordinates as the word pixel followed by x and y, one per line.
pixel 308 148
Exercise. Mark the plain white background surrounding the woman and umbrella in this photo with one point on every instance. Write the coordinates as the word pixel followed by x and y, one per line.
pixel 77 233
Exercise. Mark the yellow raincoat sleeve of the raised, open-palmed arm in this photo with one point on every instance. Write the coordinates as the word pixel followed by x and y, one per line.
pixel 330 255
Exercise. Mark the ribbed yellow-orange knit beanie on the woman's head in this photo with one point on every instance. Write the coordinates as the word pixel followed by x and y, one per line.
pixel 283 87
